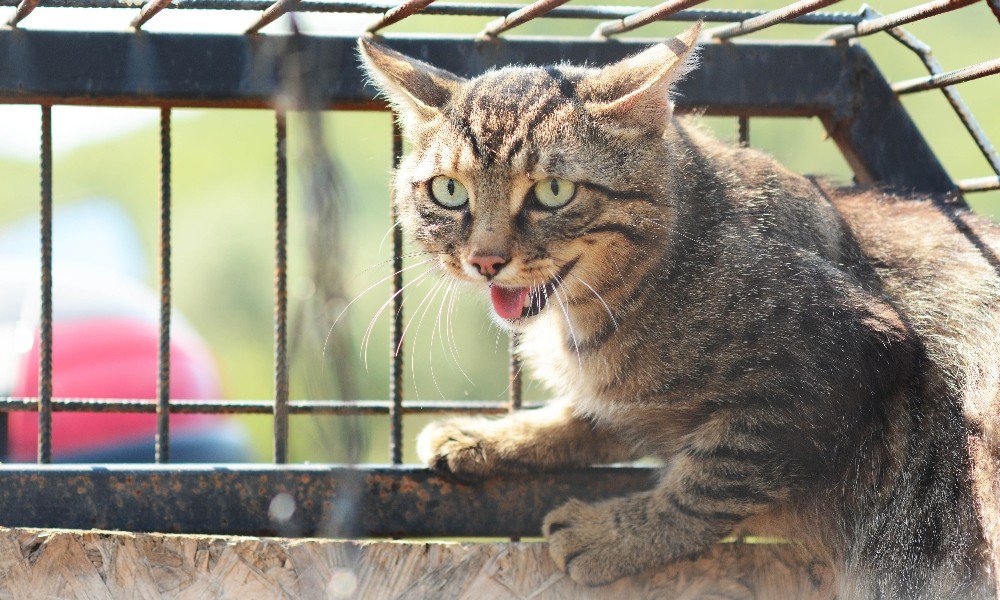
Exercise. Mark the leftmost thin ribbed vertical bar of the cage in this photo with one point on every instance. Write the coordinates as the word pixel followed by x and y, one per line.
pixel 45 326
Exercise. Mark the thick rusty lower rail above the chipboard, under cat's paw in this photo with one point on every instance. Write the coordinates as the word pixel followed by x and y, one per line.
pixel 335 501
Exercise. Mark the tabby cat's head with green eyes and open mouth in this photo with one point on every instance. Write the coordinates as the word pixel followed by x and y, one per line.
pixel 541 184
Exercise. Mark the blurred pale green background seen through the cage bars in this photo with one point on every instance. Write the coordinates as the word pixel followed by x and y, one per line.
pixel 223 185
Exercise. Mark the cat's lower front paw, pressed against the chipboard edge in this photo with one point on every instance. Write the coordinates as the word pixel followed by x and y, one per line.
pixel 584 542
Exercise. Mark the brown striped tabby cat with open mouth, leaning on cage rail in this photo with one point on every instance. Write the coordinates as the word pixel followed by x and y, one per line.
pixel 820 359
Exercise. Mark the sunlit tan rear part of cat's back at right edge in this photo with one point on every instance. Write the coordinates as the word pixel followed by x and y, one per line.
pixel 941 267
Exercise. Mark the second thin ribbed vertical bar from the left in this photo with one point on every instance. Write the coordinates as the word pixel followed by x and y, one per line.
pixel 163 356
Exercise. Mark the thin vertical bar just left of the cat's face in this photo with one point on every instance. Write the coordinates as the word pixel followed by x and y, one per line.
pixel 396 327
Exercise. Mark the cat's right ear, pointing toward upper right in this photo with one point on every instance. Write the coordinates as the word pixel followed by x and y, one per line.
pixel 634 93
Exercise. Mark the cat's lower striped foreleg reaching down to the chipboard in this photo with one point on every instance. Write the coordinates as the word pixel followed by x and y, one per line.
pixel 702 497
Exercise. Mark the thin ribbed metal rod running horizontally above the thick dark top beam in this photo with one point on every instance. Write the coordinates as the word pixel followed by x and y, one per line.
pixel 476 9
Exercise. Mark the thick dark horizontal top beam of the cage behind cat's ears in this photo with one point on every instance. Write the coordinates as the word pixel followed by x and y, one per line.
pixel 237 70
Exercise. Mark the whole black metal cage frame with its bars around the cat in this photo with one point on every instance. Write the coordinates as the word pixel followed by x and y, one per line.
pixel 836 82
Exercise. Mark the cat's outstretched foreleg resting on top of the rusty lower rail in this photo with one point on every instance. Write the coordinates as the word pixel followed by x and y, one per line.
pixel 473 448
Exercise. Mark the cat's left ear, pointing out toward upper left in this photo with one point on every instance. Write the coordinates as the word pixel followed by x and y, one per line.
pixel 416 90
